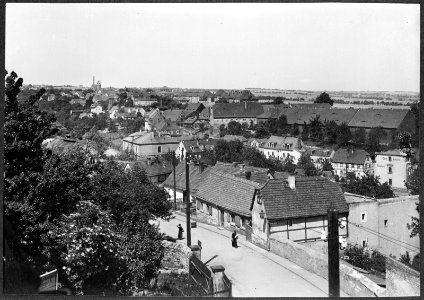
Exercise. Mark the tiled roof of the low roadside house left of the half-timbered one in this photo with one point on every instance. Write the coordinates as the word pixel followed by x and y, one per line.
pixel 227 191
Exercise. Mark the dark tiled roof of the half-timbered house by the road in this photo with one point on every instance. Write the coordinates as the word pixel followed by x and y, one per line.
pixel 313 196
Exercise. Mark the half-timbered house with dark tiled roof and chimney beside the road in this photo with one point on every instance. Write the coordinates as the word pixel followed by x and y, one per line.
pixel 295 209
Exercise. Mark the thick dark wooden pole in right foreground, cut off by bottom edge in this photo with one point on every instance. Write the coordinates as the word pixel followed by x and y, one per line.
pixel 333 254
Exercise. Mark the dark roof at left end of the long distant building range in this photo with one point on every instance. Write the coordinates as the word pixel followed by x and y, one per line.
pixel 237 110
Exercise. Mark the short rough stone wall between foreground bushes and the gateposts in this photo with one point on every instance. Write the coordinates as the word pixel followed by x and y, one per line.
pixel 176 257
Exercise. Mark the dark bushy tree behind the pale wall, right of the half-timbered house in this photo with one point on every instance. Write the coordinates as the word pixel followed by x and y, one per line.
pixel 367 185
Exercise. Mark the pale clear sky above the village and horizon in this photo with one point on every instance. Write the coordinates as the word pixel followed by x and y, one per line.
pixel 320 46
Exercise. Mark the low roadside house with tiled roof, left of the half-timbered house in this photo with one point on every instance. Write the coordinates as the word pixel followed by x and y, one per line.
pixel 224 199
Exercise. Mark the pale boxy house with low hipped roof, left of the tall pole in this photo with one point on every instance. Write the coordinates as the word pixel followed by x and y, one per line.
pixel 149 144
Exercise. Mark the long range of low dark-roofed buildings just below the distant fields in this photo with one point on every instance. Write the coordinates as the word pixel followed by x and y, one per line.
pixel 366 118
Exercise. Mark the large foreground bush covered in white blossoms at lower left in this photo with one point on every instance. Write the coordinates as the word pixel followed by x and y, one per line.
pixel 90 254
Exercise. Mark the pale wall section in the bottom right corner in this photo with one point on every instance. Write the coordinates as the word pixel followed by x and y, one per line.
pixel 401 280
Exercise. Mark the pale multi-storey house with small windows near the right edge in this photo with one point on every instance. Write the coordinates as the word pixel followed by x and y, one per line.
pixel 394 167
